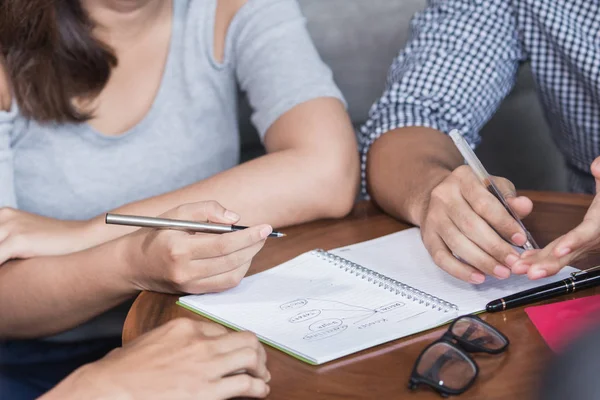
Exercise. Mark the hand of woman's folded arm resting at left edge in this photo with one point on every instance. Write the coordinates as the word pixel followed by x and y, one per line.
pixel 26 235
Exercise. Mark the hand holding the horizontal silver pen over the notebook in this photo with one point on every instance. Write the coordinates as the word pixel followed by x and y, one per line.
pixel 173 261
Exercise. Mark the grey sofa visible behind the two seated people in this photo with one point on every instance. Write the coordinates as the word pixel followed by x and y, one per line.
pixel 358 39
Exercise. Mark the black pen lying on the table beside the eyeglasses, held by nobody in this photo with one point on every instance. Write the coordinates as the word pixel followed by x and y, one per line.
pixel 579 280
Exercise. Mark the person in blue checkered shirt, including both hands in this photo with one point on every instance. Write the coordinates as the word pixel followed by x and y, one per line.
pixel 460 63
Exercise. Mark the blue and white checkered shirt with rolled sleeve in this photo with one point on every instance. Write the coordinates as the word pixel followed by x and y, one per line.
pixel 462 60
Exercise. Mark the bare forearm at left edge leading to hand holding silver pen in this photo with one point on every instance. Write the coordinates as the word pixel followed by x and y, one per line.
pixel 47 295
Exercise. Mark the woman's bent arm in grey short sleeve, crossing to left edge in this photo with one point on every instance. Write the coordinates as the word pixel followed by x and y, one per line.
pixel 311 167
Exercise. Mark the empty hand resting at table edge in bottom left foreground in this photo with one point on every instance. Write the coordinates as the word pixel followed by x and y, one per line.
pixel 182 359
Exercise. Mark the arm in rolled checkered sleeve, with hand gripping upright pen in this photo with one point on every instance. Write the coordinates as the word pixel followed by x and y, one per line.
pixel 447 78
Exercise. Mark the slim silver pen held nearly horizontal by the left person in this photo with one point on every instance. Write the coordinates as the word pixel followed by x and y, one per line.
pixel 150 222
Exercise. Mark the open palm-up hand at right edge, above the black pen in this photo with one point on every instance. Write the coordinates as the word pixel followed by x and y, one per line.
pixel 569 247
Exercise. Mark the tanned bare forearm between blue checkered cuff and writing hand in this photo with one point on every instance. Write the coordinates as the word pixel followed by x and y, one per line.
pixel 403 167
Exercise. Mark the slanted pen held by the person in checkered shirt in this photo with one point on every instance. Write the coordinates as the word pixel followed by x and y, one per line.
pixel 488 182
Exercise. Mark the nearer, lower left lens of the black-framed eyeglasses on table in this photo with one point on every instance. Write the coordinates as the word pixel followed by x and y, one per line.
pixel 444 365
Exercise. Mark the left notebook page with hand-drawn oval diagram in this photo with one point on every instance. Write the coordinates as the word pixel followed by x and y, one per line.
pixel 313 308
